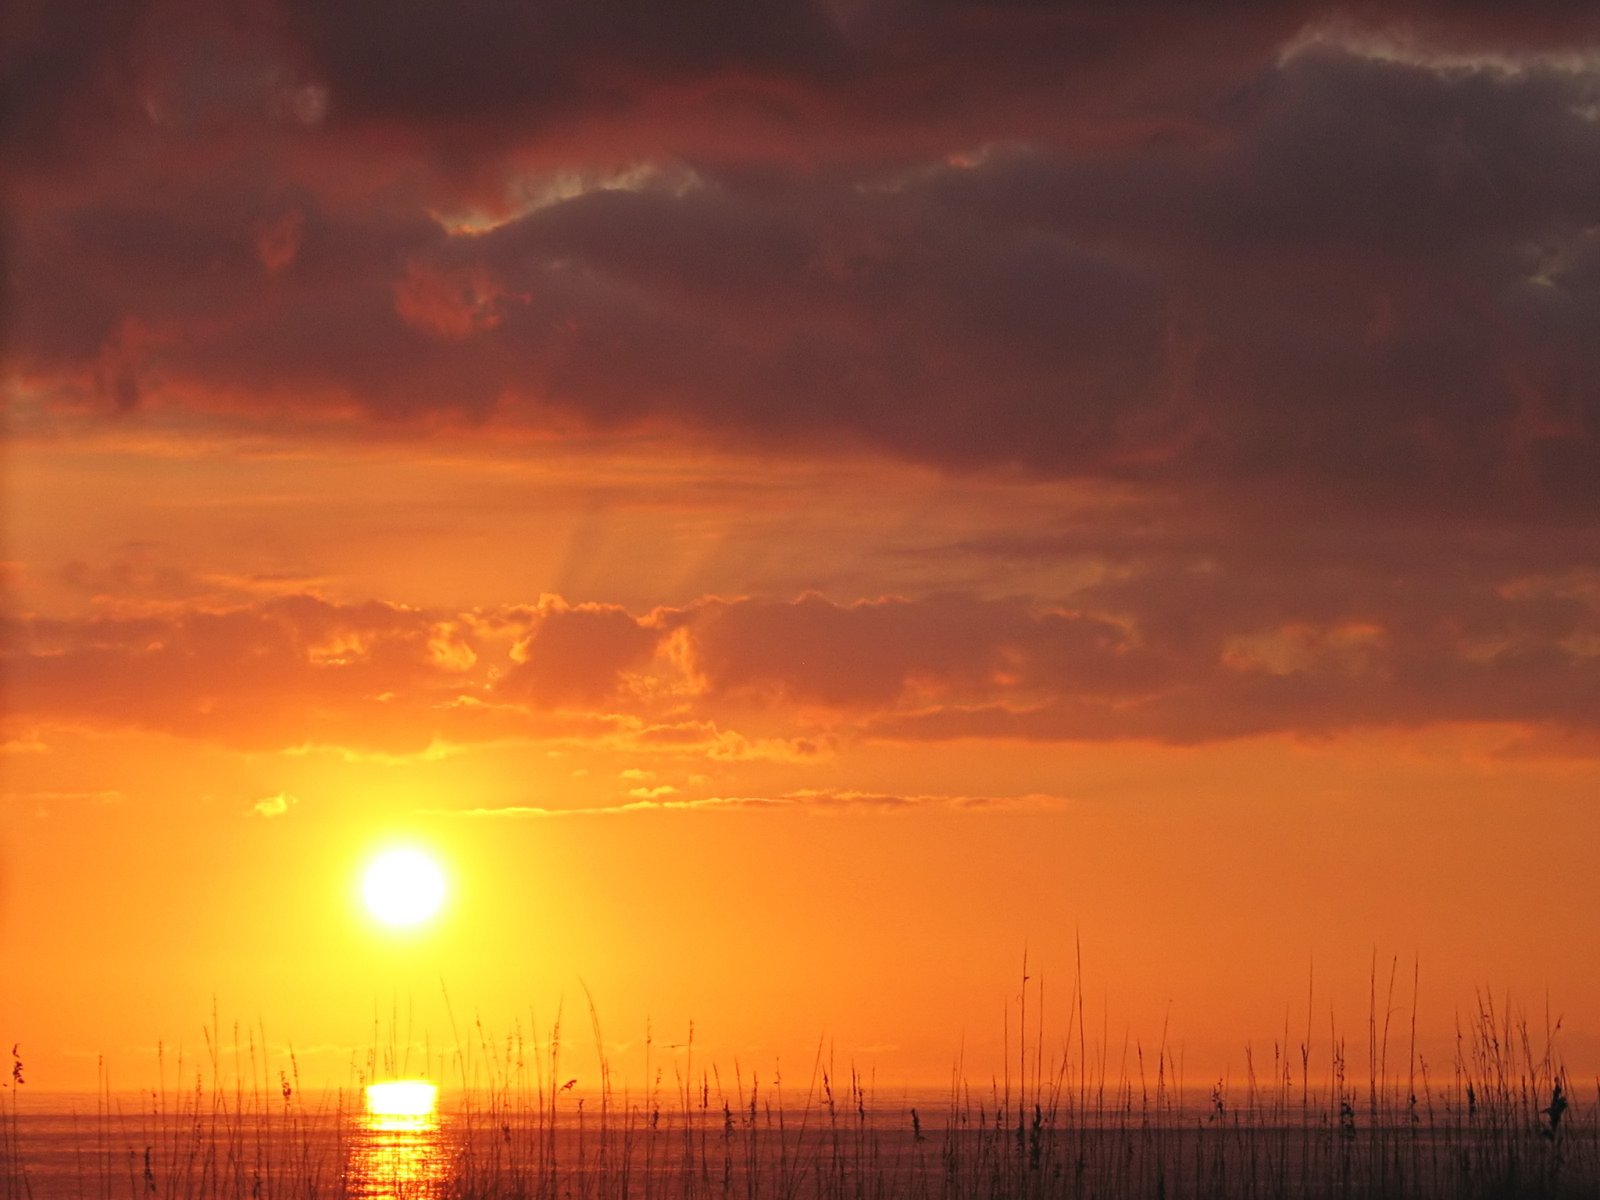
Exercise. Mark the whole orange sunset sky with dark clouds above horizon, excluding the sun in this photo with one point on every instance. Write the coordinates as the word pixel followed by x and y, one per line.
pixel 796 506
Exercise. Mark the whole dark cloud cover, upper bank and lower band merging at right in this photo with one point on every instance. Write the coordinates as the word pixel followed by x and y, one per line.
pixel 1314 286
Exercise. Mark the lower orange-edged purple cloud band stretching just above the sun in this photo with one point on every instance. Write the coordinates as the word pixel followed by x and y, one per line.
pixel 1183 658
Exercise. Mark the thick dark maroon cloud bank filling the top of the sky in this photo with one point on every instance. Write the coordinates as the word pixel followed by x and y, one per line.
pixel 1324 263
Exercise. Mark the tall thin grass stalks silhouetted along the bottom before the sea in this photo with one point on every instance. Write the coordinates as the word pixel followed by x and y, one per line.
pixel 1063 1119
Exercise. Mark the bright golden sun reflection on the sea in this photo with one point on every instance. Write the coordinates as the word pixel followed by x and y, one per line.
pixel 398 1153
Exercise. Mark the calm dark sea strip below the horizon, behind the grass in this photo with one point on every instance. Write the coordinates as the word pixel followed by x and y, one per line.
pixel 329 1148
